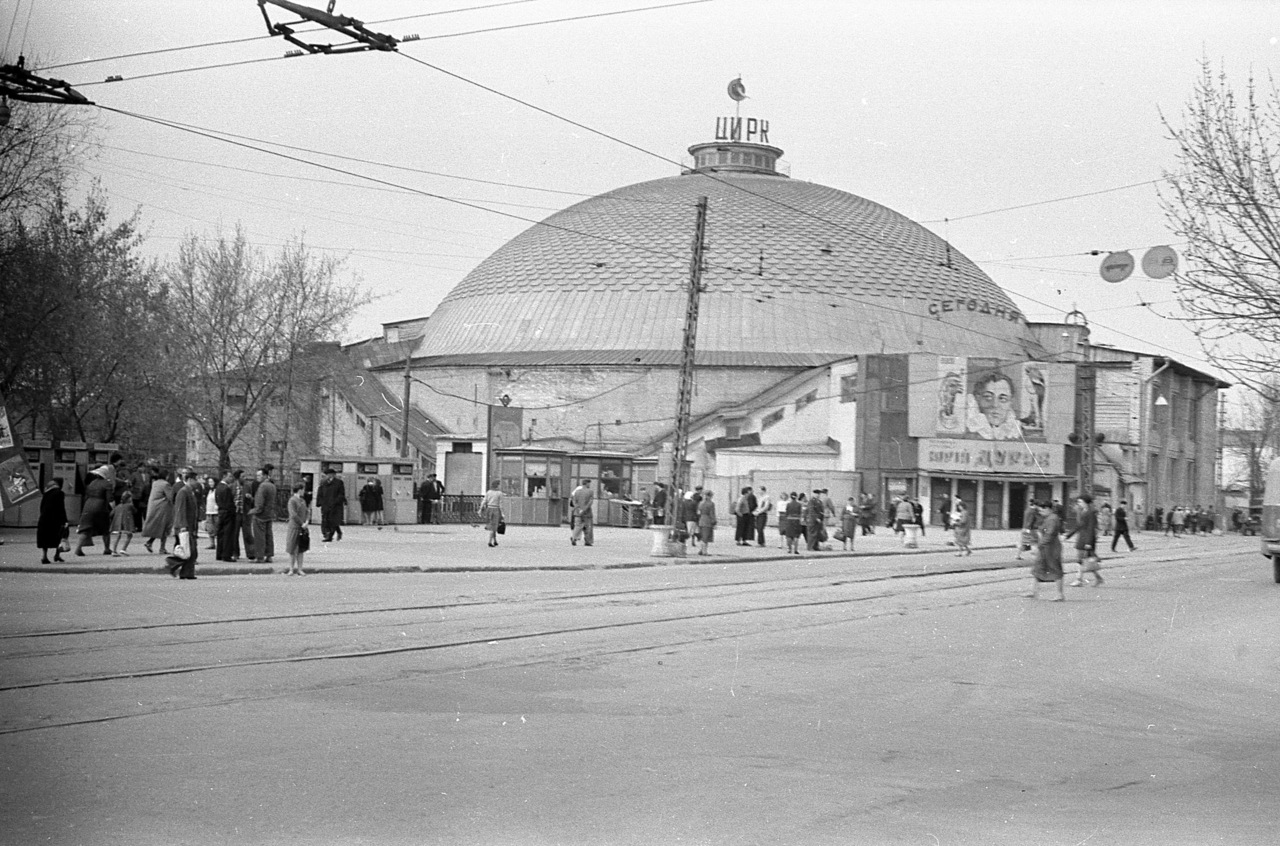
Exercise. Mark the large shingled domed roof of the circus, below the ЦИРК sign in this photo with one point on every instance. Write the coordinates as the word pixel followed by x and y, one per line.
pixel 796 275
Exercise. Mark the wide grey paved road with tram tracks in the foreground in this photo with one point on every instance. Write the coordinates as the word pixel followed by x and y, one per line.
pixel 828 701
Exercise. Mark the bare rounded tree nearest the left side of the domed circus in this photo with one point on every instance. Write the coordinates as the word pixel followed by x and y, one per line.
pixel 237 324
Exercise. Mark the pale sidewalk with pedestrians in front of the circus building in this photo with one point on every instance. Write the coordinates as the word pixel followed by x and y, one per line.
pixel 461 548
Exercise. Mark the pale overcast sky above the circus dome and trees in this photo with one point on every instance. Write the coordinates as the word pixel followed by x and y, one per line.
pixel 936 109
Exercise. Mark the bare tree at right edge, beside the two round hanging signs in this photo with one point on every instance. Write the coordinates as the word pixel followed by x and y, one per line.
pixel 1224 200
